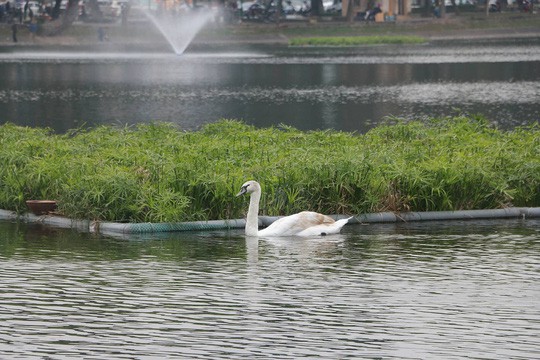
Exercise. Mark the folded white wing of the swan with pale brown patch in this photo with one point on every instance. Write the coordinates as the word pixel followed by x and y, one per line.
pixel 297 223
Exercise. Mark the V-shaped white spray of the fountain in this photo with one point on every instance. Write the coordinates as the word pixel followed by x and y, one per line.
pixel 179 31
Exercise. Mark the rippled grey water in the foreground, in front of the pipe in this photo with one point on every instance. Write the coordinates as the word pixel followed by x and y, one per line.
pixel 413 291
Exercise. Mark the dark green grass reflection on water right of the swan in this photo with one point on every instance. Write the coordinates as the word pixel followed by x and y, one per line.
pixel 440 242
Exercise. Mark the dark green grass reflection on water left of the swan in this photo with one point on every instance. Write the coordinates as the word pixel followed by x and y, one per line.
pixel 34 241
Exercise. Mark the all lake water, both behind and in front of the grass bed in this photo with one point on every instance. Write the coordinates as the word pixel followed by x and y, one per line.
pixel 402 291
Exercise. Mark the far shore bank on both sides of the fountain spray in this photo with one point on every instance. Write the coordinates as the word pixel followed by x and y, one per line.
pixel 465 27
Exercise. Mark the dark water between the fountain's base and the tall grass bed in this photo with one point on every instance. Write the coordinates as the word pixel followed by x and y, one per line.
pixel 346 89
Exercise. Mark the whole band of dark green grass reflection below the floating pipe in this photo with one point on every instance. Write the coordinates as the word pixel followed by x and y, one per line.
pixel 376 242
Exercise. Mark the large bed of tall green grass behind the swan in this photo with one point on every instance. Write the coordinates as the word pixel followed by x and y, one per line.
pixel 159 173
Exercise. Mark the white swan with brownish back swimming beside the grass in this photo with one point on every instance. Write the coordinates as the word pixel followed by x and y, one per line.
pixel 305 223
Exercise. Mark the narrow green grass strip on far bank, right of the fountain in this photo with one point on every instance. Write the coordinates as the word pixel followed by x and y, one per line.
pixel 356 40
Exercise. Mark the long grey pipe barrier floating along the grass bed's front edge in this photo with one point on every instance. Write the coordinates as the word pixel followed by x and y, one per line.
pixel 148 228
